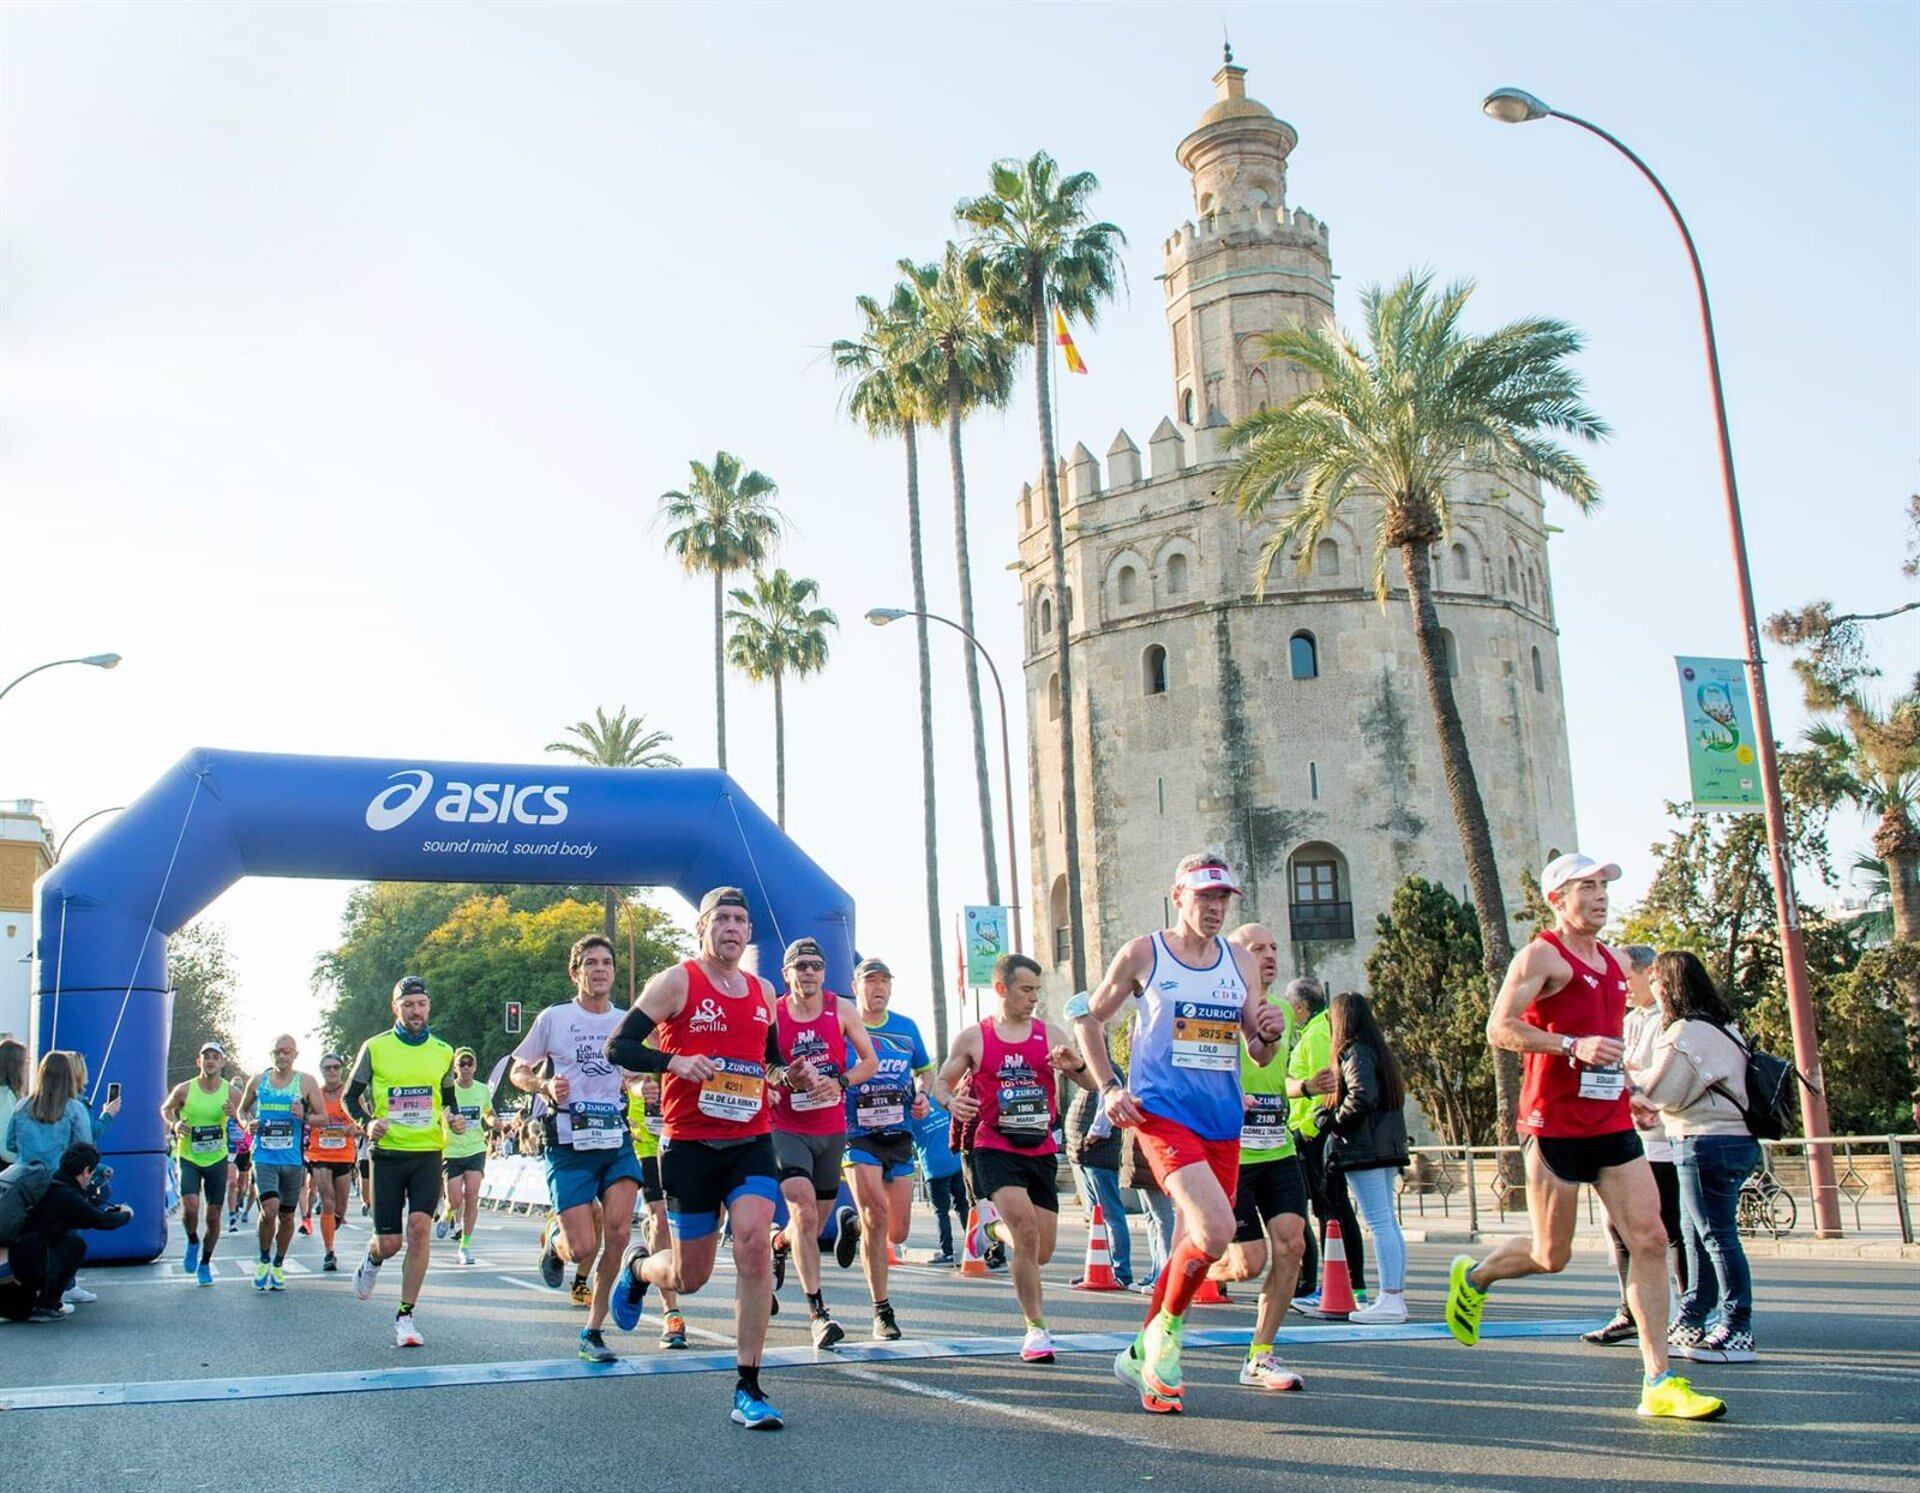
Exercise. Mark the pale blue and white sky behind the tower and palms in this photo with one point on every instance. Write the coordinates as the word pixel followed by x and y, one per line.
pixel 347 350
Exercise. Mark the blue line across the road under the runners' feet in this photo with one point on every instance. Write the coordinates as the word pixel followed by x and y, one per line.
pixel 531 1371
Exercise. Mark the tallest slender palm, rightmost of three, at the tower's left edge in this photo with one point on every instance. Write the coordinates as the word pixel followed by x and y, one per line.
pixel 1040 250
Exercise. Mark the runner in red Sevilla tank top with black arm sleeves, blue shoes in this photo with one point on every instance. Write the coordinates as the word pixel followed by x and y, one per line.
pixel 713 1039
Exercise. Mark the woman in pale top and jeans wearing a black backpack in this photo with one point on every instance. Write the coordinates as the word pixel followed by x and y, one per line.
pixel 1698 1081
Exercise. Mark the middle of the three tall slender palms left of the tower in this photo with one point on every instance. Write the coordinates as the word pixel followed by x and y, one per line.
pixel 972 354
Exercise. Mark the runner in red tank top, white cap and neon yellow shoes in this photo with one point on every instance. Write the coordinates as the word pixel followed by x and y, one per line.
pixel 1564 1007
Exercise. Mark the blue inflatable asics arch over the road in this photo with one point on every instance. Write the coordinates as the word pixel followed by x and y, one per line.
pixel 108 911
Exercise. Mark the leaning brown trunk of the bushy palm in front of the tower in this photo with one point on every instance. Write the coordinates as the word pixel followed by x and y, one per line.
pixel 1470 817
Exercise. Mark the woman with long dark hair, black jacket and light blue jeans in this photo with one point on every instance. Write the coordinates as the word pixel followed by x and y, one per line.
pixel 1368 1143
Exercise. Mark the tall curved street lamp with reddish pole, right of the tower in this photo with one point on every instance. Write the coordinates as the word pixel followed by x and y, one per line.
pixel 1514 107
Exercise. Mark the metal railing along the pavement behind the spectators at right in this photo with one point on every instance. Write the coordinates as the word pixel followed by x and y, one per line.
pixel 1871 1179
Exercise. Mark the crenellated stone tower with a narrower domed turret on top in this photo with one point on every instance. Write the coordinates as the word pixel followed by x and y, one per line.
pixel 1289 730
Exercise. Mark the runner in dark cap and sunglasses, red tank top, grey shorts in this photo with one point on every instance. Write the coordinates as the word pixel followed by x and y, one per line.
pixel 823 1031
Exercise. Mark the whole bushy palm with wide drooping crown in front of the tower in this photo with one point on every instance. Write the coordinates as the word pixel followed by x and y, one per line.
pixel 1397 423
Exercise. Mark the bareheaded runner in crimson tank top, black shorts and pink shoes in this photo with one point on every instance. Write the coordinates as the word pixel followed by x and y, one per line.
pixel 1015 1162
